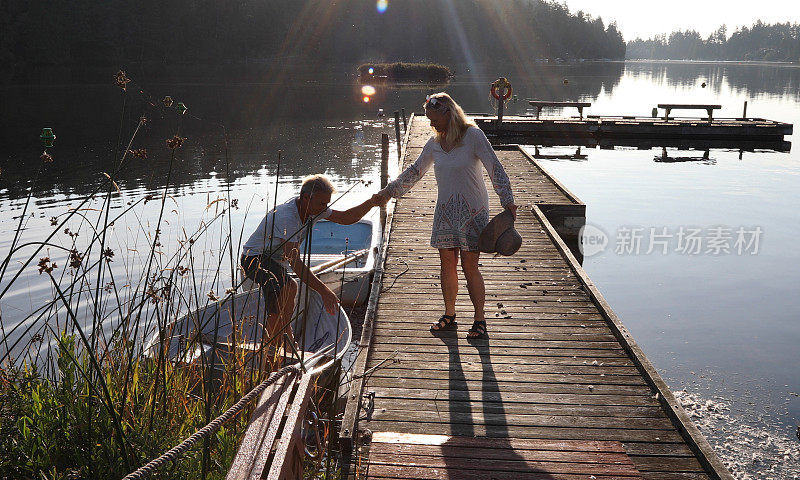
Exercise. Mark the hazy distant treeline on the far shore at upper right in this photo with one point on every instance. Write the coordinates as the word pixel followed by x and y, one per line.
pixel 778 42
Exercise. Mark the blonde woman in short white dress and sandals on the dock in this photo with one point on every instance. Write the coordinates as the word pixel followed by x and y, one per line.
pixel 457 150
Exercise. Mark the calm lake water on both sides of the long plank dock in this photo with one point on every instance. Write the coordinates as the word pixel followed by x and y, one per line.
pixel 720 326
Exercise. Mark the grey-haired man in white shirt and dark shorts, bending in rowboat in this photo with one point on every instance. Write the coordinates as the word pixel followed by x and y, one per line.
pixel 275 246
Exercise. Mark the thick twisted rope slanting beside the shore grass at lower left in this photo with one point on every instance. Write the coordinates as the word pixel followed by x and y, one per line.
pixel 177 451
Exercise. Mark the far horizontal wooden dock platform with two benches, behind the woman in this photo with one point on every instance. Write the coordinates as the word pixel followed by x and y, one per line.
pixel 630 127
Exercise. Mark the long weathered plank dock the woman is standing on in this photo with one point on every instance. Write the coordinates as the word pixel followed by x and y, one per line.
pixel 560 390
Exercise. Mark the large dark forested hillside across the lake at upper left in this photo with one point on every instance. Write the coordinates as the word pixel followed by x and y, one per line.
pixel 114 32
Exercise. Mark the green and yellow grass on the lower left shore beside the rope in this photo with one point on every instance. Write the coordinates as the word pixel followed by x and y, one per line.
pixel 67 427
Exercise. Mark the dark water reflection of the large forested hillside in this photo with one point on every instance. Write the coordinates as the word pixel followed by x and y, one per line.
pixel 319 126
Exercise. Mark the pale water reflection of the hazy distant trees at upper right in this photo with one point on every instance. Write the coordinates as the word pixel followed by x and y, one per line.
pixel 750 79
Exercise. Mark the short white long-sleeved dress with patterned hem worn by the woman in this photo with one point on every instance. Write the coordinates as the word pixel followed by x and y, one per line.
pixel 462 208
